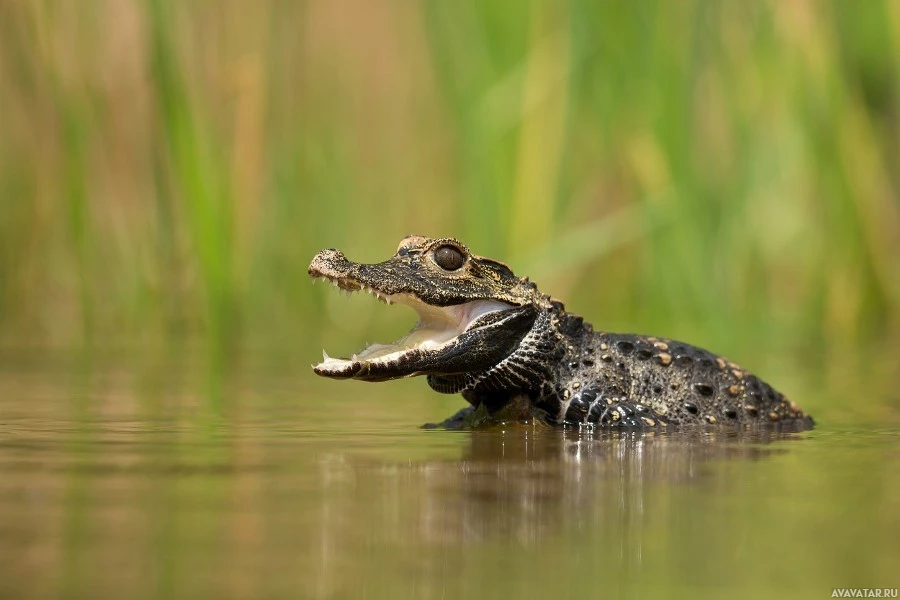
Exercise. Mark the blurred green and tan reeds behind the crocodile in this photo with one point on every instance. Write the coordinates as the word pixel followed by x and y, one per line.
pixel 720 172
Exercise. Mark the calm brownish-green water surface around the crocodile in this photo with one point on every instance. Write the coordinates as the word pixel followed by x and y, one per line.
pixel 123 482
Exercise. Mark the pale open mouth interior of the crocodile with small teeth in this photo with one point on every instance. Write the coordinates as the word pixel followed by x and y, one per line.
pixel 437 327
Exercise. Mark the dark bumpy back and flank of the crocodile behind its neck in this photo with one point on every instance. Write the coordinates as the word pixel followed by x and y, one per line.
pixel 621 380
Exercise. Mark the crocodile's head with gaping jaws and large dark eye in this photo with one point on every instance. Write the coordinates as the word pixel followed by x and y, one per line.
pixel 473 312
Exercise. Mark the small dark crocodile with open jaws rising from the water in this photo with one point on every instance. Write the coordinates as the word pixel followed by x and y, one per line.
pixel 510 349
